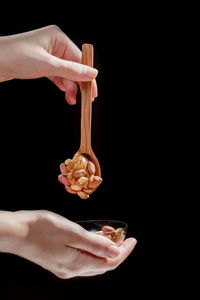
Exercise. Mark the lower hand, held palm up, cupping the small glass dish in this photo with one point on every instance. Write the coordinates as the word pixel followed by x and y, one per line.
pixel 63 247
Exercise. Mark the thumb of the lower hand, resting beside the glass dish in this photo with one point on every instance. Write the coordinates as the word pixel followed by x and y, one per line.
pixel 97 245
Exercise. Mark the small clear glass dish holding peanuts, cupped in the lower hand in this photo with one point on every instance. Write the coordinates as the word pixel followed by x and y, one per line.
pixel 117 236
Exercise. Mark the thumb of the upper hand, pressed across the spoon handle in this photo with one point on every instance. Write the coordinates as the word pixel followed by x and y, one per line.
pixel 70 70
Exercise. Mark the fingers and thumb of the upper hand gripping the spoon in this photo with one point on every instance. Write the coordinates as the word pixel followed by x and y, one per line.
pixel 65 66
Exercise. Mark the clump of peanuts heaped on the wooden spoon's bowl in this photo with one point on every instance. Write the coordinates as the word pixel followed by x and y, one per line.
pixel 78 176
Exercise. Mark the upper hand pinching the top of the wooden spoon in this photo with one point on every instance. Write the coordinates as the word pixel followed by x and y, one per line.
pixel 45 52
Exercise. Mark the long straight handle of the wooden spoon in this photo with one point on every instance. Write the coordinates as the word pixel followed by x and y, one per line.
pixel 86 102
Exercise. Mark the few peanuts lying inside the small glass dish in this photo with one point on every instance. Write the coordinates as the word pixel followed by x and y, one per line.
pixel 116 235
